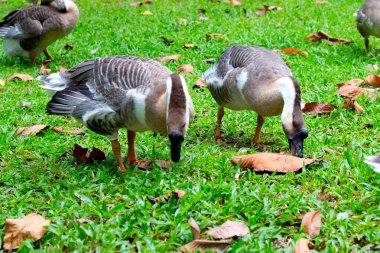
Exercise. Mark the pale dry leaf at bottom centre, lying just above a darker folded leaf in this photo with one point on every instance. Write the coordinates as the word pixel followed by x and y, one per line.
pixel 228 230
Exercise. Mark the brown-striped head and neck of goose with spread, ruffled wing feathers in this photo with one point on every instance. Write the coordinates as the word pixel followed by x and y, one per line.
pixel 178 114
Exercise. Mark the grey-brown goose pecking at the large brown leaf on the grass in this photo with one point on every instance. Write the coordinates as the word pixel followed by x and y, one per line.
pixel 257 79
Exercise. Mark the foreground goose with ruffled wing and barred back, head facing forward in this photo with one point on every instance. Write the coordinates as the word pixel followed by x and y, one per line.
pixel 109 93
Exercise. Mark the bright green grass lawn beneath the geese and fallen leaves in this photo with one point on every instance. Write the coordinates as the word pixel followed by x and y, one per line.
pixel 120 216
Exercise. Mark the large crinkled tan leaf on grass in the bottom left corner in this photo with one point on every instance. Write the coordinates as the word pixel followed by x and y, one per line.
pixel 28 227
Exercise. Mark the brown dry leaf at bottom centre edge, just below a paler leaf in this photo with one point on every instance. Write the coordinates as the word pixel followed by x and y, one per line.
pixel 205 245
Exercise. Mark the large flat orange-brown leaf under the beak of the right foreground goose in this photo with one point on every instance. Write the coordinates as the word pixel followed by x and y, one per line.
pixel 270 162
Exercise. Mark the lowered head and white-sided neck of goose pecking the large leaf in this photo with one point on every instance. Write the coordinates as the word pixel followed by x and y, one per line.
pixel 293 122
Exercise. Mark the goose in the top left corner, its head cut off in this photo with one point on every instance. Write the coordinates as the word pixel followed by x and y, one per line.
pixel 27 32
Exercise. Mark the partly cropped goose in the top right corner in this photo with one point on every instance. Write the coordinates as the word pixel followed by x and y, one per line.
pixel 368 20
